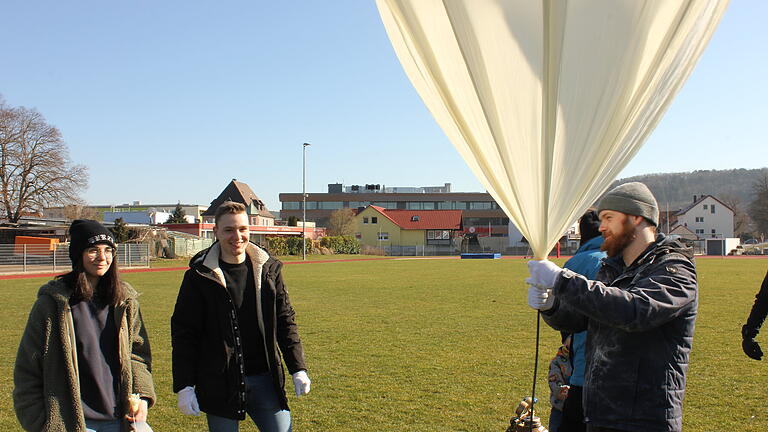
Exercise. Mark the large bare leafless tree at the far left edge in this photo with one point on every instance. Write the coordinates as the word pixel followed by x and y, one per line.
pixel 35 170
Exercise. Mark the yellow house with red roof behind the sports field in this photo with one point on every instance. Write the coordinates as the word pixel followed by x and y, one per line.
pixel 382 227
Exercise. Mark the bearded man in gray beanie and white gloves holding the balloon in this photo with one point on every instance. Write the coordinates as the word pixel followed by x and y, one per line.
pixel 639 312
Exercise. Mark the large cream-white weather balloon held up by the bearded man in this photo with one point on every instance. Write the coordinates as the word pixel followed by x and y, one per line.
pixel 547 100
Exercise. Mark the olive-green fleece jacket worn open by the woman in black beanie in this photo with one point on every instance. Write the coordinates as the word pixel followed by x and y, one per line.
pixel 46 394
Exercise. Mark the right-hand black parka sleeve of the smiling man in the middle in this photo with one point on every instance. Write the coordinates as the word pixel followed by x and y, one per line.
pixel 287 331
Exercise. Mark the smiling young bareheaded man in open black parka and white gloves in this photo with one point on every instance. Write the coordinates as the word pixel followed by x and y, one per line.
pixel 231 317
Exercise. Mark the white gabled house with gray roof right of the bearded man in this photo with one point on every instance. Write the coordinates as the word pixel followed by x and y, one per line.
pixel 707 217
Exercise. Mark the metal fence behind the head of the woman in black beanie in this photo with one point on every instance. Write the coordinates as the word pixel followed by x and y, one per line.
pixel 28 258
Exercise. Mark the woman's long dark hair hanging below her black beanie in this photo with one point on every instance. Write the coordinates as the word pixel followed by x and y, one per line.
pixel 109 290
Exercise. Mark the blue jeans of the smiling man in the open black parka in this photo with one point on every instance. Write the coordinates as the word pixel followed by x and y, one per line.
pixel 262 406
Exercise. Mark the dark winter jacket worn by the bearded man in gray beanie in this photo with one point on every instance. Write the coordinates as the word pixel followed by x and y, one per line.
pixel 640 322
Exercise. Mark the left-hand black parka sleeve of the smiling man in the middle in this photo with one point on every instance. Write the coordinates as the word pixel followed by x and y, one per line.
pixel 186 332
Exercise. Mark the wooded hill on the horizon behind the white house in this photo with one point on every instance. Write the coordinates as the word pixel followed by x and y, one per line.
pixel 678 189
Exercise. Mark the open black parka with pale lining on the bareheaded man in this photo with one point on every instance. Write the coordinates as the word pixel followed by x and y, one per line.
pixel 207 350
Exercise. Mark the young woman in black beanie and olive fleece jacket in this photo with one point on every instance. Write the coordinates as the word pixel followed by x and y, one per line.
pixel 84 361
